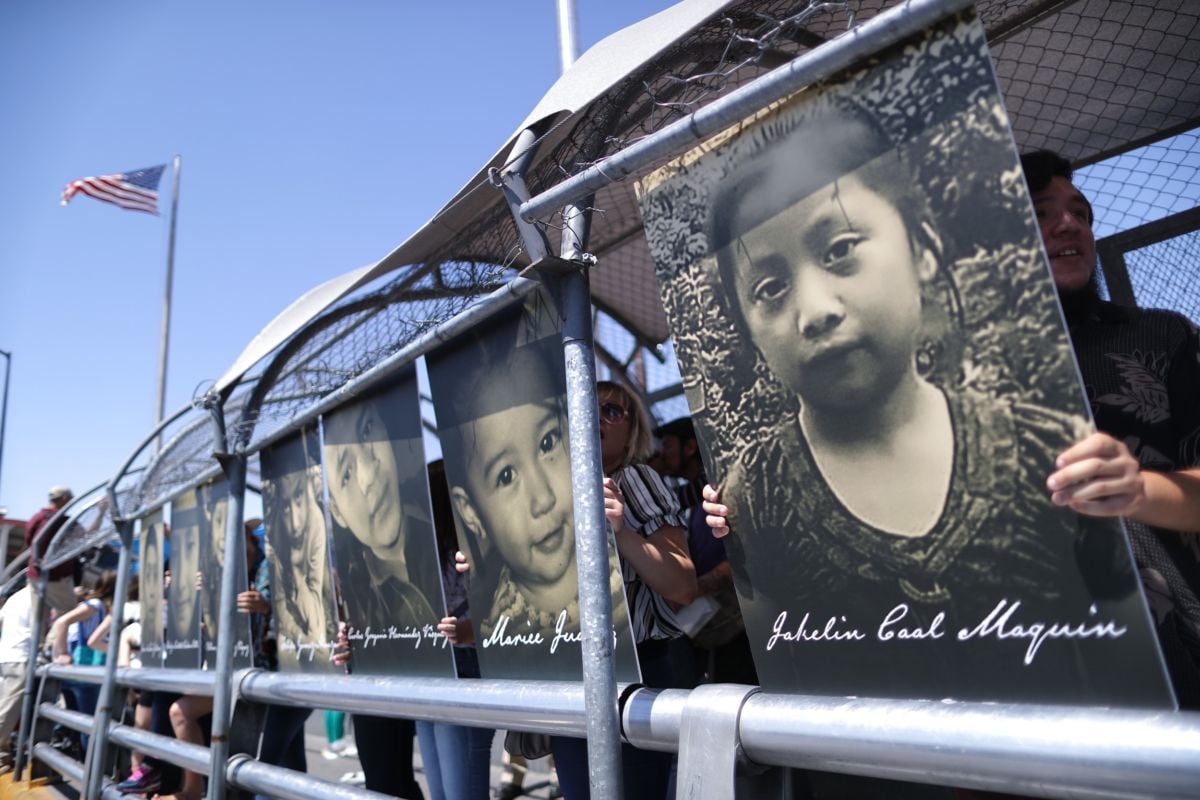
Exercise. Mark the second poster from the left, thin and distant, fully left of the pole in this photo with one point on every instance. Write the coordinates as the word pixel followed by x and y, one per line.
pixel 183 643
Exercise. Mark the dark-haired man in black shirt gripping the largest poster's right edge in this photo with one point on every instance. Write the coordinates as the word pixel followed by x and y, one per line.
pixel 1142 371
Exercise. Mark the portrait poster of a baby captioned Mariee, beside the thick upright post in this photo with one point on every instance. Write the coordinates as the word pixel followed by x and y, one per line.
pixel 500 398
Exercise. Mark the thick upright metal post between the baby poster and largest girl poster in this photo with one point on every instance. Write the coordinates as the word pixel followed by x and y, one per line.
pixel 591 532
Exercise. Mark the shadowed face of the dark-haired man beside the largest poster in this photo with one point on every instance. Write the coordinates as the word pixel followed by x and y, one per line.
pixel 1064 218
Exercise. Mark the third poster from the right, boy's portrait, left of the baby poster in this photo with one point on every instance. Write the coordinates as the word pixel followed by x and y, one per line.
pixel 388 575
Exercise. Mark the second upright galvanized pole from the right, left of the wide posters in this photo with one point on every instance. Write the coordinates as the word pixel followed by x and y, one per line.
pixel 232 582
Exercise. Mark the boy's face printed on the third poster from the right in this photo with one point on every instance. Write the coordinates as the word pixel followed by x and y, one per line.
pixel 364 484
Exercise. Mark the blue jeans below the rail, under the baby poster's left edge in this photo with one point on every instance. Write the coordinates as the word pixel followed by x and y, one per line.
pixel 458 761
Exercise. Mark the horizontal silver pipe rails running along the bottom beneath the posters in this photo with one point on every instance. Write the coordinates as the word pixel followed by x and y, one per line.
pixel 1035 750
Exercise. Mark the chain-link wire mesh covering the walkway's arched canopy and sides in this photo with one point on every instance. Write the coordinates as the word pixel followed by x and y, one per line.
pixel 1089 79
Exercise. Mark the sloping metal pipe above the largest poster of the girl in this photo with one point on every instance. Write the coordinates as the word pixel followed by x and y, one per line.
pixel 889 28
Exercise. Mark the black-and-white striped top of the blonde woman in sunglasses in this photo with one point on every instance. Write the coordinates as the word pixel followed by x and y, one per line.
pixel 650 506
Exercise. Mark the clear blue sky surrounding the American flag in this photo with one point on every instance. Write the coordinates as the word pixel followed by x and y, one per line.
pixel 316 137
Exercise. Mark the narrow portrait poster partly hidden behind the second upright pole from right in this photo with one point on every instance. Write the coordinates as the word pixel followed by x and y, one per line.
pixel 215 506
